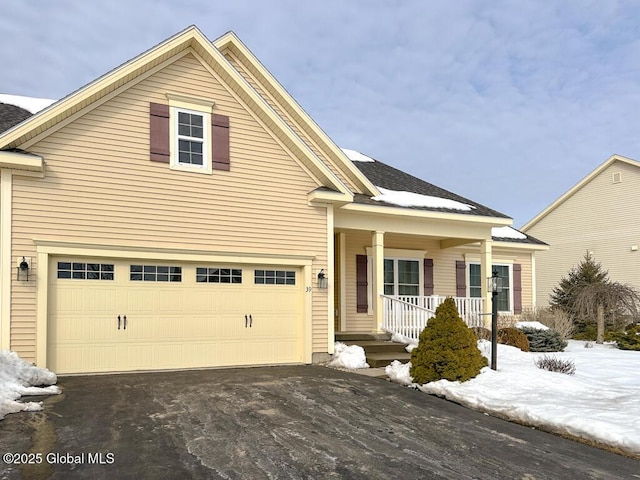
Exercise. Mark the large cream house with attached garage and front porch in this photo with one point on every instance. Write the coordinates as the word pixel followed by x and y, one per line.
pixel 184 211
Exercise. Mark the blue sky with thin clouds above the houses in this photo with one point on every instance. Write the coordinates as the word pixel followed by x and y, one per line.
pixel 507 103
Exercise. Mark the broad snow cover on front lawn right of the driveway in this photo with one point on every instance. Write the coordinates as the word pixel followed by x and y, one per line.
pixel 599 402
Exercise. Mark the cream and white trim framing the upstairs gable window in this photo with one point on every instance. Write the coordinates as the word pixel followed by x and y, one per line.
pixel 198 106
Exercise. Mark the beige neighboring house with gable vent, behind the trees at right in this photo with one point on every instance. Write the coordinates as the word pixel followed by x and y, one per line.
pixel 600 214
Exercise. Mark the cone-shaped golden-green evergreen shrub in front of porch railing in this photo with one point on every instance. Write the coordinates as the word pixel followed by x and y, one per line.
pixel 447 349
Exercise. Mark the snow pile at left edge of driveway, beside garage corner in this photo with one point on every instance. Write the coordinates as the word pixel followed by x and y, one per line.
pixel 18 377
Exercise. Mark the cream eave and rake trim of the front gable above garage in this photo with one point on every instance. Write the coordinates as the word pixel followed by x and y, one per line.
pixel 190 40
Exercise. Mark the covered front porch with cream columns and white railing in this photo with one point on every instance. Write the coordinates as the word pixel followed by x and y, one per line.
pixel 391 276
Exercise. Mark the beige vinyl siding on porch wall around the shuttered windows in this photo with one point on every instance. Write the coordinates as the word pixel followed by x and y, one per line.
pixel 444 268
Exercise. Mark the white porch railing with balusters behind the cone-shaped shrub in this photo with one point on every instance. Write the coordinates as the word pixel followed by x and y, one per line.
pixel 408 315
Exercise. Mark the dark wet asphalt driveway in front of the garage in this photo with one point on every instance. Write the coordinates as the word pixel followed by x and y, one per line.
pixel 279 422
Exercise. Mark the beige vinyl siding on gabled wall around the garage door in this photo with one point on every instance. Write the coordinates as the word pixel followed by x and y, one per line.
pixel 101 188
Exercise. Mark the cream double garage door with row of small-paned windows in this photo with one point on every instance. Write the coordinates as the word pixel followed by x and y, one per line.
pixel 114 315
